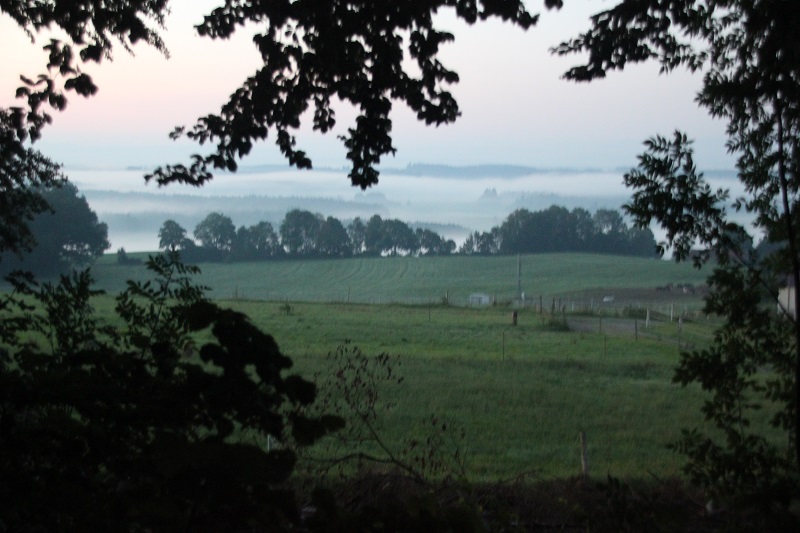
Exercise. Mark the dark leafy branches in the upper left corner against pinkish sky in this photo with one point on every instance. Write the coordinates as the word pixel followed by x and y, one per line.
pixel 92 29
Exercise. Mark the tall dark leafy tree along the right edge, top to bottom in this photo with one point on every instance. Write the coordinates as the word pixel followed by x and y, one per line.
pixel 748 53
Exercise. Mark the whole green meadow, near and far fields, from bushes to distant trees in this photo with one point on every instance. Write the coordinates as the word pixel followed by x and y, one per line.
pixel 522 394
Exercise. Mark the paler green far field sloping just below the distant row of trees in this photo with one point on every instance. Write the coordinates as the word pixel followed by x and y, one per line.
pixel 575 279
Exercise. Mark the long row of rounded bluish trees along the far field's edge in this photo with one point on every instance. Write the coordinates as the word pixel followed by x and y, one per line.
pixel 303 234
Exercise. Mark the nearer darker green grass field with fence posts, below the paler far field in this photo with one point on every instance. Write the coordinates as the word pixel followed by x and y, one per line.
pixel 522 393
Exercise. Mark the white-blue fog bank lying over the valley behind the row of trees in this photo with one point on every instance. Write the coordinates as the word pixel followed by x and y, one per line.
pixel 453 201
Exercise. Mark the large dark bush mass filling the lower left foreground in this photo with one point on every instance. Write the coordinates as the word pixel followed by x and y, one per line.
pixel 136 428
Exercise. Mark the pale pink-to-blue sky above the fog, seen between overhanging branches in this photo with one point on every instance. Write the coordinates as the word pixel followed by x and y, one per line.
pixel 515 108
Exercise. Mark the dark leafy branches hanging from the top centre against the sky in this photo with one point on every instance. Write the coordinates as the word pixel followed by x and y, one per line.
pixel 317 52
